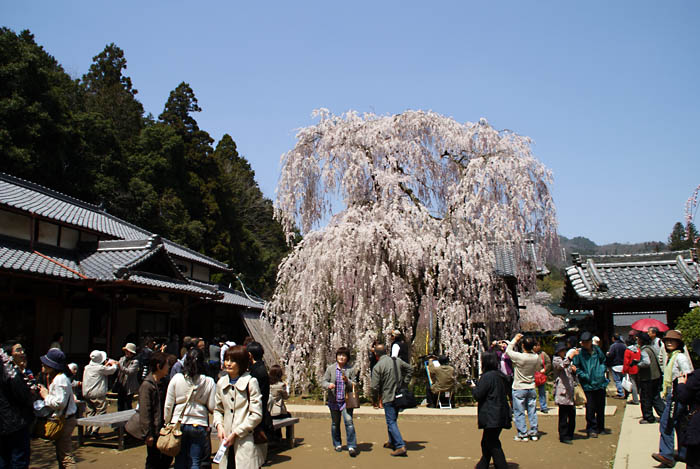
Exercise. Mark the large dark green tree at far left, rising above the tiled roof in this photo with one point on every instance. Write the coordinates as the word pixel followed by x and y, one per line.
pixel 40 136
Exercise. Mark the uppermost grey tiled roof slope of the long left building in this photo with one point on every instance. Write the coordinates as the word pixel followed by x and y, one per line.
pixel 44 202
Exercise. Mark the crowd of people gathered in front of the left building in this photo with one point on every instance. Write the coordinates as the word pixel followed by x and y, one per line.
pixel 224 388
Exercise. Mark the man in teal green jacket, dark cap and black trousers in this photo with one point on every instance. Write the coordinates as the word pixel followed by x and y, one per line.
pixel 590 370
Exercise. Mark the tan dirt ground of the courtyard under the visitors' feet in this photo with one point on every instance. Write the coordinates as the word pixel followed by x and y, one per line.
pixel 432 444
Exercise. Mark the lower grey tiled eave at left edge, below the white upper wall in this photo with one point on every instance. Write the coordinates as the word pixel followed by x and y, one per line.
pixel 19 257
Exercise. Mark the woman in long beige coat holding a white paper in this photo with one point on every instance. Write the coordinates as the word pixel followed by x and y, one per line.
pixel 238 411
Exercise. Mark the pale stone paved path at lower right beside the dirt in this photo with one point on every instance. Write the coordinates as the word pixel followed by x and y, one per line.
pixel 637 442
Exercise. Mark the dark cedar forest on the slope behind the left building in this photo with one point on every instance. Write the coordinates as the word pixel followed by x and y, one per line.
pixel 90 138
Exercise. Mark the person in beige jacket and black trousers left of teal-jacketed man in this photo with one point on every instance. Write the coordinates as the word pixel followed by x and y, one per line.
pixel 564 382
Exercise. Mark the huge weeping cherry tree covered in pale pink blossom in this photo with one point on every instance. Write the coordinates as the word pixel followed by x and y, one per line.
pixel 414 203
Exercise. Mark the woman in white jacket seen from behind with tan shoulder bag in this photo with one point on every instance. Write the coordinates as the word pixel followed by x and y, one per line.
pixel 195 446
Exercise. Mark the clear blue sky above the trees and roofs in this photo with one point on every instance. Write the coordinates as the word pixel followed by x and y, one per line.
pixel 609 91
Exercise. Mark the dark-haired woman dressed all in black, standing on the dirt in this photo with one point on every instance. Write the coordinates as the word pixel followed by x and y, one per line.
pixel 494 412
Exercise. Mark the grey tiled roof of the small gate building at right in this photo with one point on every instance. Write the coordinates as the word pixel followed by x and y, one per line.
pixel 661 279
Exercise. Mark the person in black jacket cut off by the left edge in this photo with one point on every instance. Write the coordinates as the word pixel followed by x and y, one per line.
pixel 15 415
